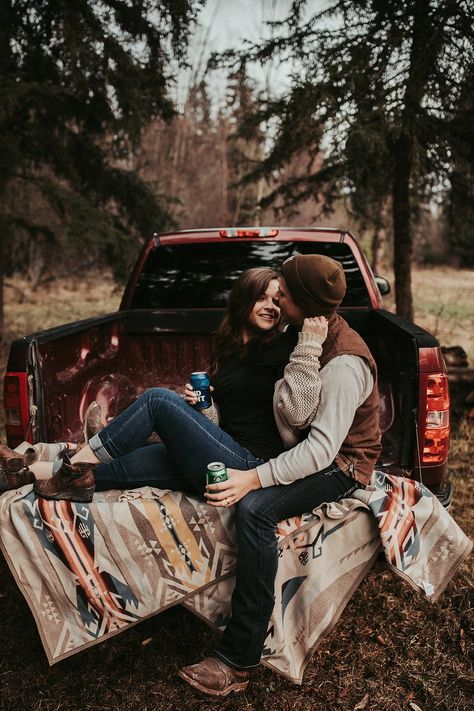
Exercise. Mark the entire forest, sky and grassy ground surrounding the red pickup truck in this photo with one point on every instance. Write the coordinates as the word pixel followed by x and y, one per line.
pixel 116 122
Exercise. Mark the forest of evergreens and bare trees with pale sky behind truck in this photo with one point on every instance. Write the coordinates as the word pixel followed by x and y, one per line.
pixel 114 124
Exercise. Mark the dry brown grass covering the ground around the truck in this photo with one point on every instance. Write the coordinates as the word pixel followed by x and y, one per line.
pixel 390 651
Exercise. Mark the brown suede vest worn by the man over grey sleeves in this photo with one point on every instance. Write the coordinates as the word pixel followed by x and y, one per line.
pixel 361 447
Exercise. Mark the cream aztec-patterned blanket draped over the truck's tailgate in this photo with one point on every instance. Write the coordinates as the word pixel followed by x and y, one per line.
pixel 89 571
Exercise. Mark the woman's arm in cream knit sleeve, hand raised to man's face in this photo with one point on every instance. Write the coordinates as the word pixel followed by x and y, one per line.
pixel 296 395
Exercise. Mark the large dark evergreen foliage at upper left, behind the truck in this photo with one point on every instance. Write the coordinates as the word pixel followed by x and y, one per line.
pixel 78 82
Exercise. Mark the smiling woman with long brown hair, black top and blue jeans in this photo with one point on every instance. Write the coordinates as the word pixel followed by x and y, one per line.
pixel 249 357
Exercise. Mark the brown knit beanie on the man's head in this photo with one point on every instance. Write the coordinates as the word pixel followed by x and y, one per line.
pixel 315 282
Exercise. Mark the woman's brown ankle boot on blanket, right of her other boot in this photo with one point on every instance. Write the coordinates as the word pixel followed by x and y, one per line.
pixel 73 482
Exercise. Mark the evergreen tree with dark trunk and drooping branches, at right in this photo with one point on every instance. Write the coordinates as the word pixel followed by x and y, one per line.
pixel 377 89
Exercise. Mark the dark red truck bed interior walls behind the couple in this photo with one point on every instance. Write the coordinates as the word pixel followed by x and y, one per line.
pixel 115 358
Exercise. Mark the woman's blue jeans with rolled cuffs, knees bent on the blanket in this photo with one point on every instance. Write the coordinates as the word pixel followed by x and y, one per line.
pixel 189 441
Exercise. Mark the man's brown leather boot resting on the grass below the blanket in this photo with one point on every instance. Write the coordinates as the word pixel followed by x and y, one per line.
pixel 214 677
